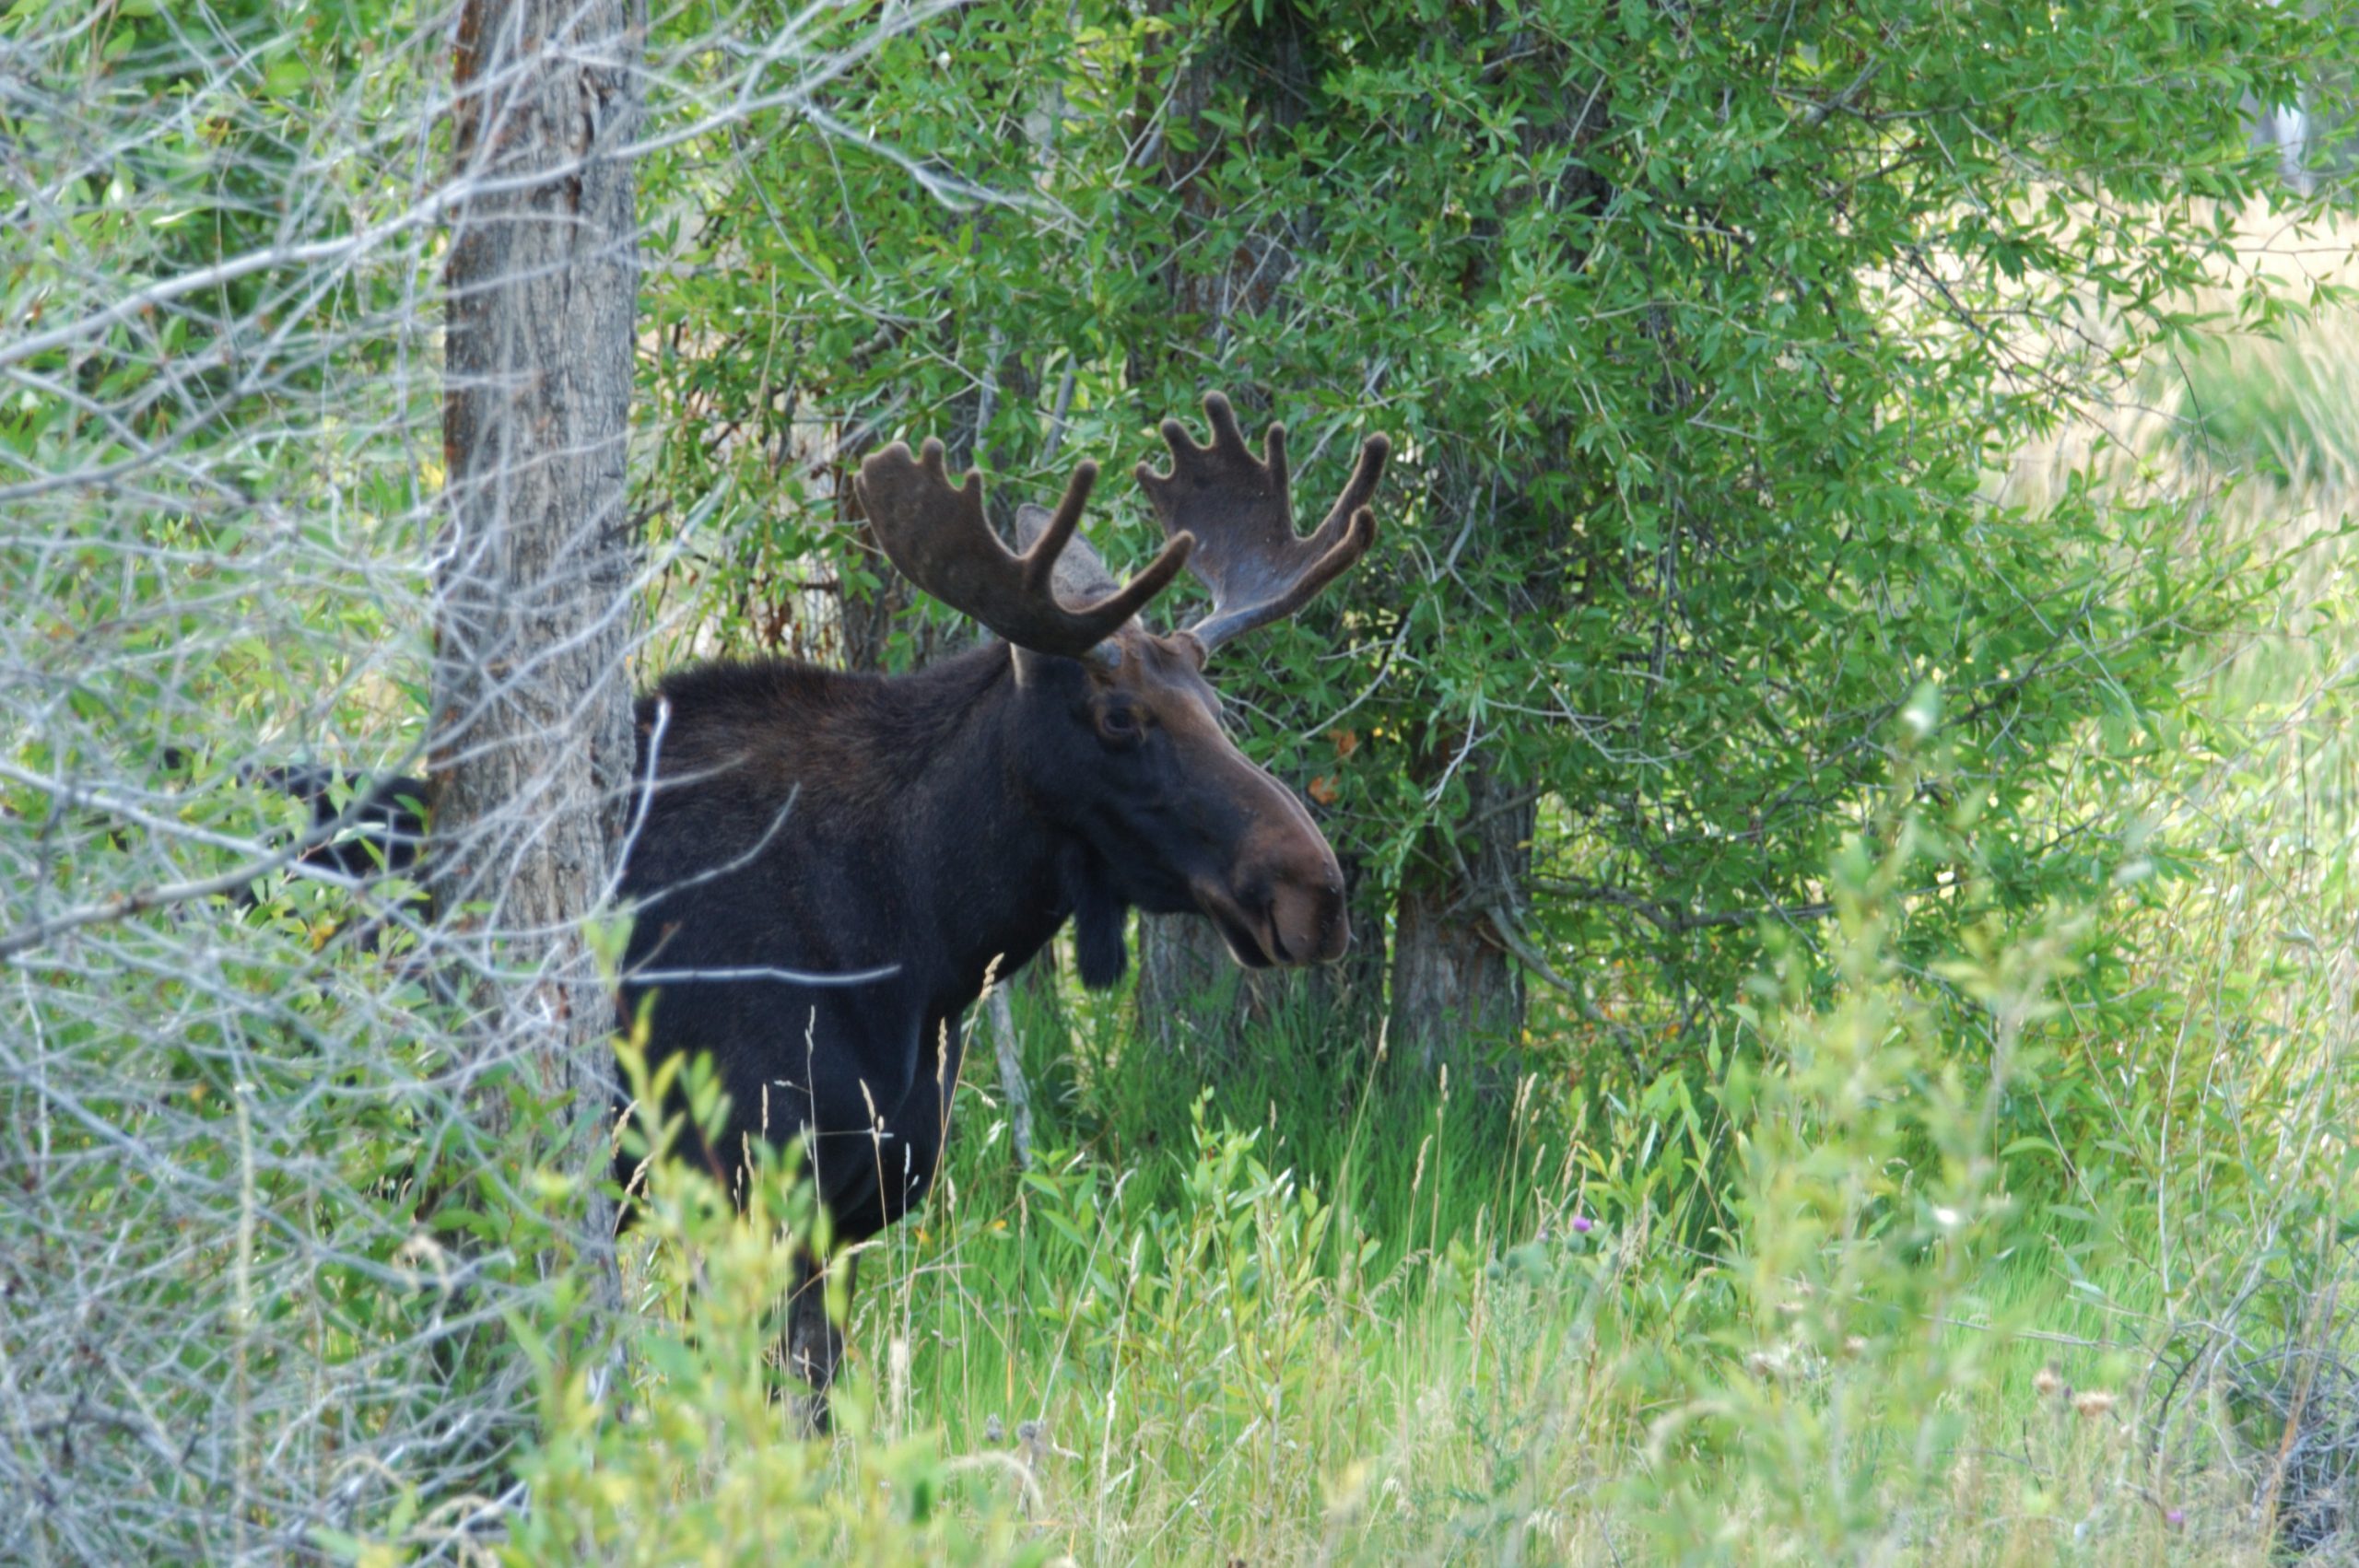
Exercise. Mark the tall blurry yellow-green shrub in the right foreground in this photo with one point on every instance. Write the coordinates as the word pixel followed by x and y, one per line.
pixel 1867 1206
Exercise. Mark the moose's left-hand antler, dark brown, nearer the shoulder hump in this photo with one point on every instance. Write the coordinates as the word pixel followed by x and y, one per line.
pixel 940 541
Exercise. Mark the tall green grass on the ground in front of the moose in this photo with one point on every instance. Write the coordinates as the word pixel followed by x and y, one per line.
pixel 1214 1376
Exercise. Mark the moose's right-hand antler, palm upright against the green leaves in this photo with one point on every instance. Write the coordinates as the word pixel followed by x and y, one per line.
pixel 1242 515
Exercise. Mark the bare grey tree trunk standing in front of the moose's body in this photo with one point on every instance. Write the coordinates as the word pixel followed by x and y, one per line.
pixel 534 574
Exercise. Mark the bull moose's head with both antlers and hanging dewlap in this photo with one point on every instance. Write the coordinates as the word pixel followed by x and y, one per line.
pixel 1122 737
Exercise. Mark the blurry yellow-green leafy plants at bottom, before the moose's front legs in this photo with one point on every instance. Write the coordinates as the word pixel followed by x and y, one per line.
pixel 709 1468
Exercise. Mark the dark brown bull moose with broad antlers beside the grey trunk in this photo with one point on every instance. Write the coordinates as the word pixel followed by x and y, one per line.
pixel 933 829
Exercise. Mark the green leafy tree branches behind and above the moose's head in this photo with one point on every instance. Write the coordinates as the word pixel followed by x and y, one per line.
pixel 1700 327
